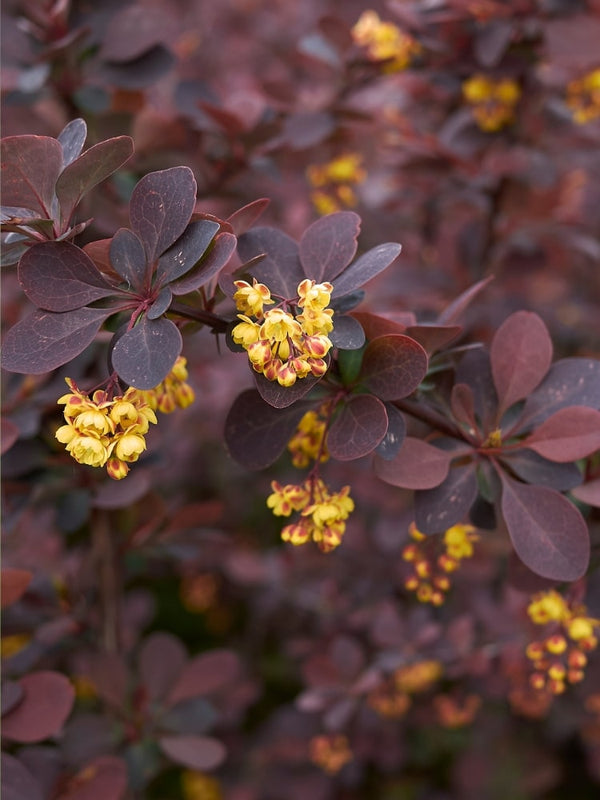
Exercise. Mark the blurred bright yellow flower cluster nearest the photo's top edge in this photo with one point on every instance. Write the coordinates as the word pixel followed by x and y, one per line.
pixel 384 42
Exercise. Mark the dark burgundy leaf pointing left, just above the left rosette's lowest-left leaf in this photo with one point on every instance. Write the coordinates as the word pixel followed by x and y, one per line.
pixel 58 276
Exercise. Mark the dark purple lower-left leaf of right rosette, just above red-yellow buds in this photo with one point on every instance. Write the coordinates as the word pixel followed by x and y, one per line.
pixel 445 505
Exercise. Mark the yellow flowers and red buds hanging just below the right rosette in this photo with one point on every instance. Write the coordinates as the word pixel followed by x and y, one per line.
pixel 429 579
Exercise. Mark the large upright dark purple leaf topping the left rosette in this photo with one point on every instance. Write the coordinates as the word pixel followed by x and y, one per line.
pixel 160 208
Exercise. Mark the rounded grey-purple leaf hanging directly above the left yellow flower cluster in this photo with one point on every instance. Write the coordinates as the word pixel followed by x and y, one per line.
pixel 144 355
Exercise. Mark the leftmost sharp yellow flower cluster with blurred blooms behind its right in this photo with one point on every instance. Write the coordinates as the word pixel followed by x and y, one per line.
pixel 110 431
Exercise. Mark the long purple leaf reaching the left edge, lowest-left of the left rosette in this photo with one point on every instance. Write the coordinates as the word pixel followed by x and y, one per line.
pixel 45 340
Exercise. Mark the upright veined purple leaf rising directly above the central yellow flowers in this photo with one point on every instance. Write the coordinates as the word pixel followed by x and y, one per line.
pixel 329 245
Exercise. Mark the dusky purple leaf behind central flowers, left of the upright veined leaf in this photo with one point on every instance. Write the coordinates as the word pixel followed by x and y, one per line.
pixel 280 270
